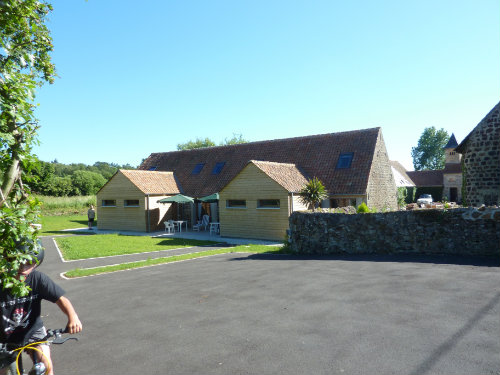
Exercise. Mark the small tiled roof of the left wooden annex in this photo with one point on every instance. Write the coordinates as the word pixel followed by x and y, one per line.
pixel 150 182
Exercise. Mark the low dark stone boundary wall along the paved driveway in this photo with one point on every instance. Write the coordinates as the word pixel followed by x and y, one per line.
pixel 464 231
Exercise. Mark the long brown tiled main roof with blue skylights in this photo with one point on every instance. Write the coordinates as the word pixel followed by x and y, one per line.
pixel 316 156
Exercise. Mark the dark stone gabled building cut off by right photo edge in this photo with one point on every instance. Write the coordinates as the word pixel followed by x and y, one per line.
pixel 481 161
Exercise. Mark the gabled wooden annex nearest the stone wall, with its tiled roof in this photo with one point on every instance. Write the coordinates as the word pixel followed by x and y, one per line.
pixel 259 200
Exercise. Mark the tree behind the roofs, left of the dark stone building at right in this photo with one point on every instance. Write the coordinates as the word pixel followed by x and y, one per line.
pixel 429 153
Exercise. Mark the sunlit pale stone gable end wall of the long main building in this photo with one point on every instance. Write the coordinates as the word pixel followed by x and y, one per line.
pixel 381 190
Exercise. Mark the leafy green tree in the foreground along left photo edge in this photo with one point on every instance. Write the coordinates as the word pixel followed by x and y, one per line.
pixel 25 64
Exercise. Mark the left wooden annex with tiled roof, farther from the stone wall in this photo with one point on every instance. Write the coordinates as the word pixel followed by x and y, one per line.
pixel 129 200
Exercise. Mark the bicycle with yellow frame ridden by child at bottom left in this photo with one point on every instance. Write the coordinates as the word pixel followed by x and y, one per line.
pixel 15 353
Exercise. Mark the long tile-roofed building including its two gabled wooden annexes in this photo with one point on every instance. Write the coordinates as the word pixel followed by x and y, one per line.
pixel 353 166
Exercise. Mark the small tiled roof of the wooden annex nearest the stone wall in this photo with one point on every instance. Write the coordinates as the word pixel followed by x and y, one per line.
pixel 287 175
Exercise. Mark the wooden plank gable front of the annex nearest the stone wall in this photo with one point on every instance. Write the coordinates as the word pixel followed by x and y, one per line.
pixel 251 184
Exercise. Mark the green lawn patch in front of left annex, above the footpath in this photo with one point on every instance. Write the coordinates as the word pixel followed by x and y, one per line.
pixel 102 245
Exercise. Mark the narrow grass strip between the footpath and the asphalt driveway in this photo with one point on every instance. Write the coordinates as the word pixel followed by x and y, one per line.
pixel 151 262
